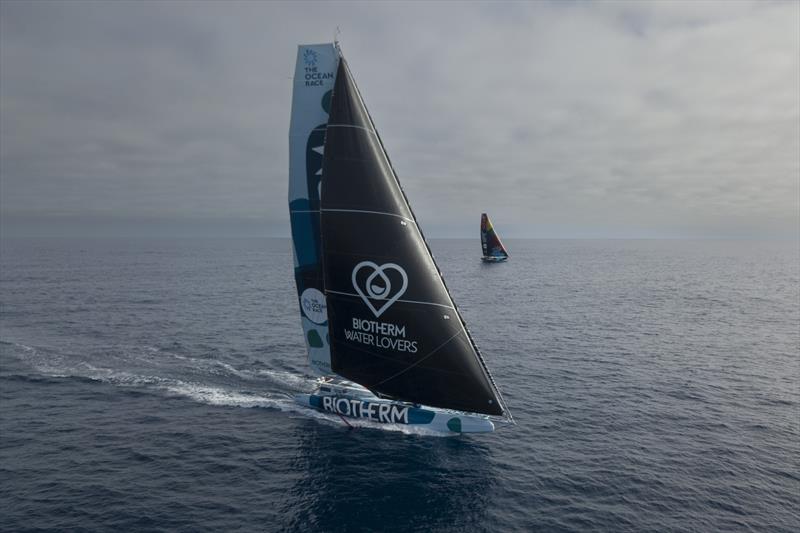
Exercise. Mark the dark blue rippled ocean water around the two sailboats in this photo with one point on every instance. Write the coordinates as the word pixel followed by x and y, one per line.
pixel 144 385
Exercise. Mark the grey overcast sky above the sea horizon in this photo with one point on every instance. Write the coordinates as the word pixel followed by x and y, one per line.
pixel 560 119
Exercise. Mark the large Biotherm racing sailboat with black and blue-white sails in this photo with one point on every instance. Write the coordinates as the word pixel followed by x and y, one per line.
pixel 382 332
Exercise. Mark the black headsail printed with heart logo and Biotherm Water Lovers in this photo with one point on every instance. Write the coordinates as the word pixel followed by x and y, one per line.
pixel 393 325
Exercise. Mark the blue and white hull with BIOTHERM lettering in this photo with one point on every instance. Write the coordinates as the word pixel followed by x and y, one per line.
pixel 390 412
